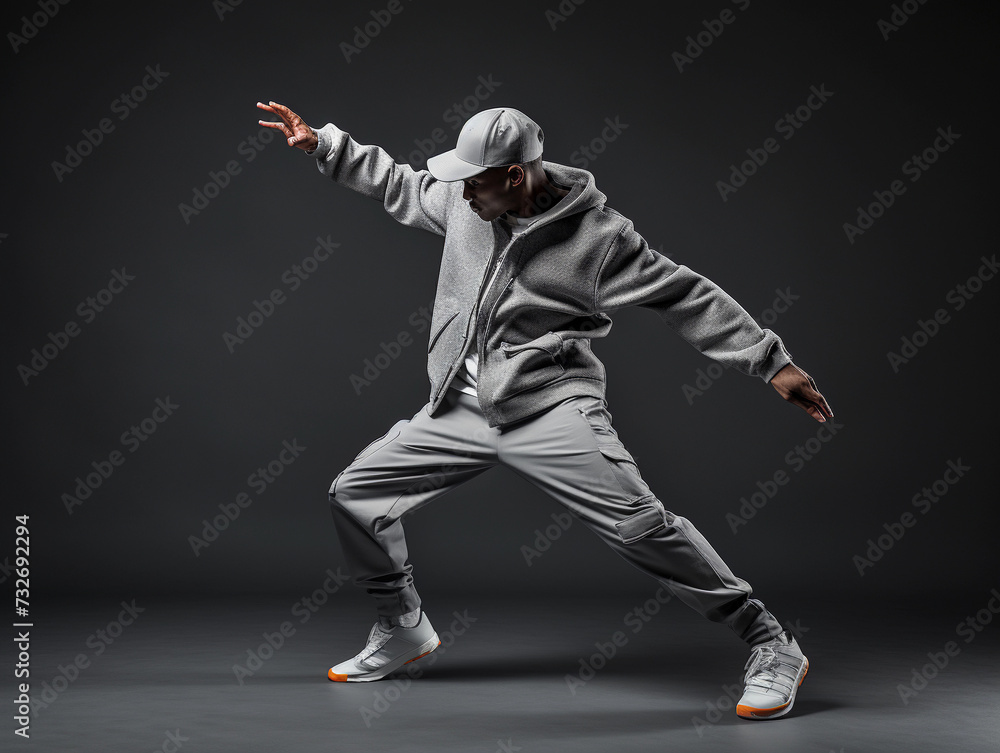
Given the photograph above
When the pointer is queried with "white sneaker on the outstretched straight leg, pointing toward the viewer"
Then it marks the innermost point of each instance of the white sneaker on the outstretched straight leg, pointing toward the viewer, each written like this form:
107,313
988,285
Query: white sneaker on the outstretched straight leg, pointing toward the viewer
774,672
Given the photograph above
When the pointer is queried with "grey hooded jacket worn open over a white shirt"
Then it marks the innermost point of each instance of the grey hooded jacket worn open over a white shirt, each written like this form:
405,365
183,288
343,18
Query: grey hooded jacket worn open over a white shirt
549,292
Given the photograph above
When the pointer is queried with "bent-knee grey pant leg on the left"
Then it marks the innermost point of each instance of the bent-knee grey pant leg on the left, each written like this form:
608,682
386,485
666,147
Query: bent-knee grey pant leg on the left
417,460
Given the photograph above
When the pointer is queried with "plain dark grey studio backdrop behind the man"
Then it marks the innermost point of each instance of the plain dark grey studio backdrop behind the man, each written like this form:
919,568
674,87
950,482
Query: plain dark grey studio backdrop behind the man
783,230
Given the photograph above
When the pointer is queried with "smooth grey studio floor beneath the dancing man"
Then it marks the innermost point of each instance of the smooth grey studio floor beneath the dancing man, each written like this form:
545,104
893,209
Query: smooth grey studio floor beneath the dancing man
500,684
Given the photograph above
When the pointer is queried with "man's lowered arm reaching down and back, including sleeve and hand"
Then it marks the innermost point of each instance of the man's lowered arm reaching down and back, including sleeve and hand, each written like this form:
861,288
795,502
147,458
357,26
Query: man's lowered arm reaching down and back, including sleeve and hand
633,274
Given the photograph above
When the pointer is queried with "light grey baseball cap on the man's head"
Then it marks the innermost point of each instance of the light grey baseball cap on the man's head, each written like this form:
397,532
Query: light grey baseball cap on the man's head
490,138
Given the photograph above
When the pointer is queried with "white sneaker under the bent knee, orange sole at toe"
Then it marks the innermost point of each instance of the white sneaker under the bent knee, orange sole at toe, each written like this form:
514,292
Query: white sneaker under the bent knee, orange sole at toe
389,647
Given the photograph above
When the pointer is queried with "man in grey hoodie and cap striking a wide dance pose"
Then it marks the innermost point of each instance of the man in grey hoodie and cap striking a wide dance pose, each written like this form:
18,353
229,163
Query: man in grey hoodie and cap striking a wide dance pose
533,262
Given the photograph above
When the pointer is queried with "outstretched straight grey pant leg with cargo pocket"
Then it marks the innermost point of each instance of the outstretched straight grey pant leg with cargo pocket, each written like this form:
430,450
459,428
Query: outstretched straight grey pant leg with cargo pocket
572,452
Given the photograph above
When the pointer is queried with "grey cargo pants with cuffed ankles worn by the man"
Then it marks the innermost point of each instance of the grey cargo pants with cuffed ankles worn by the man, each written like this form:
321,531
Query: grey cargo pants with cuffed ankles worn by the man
571,452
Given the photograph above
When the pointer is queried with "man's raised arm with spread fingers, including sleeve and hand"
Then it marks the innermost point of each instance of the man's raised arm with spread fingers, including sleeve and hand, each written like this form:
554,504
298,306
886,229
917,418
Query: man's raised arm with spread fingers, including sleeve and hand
411,197
